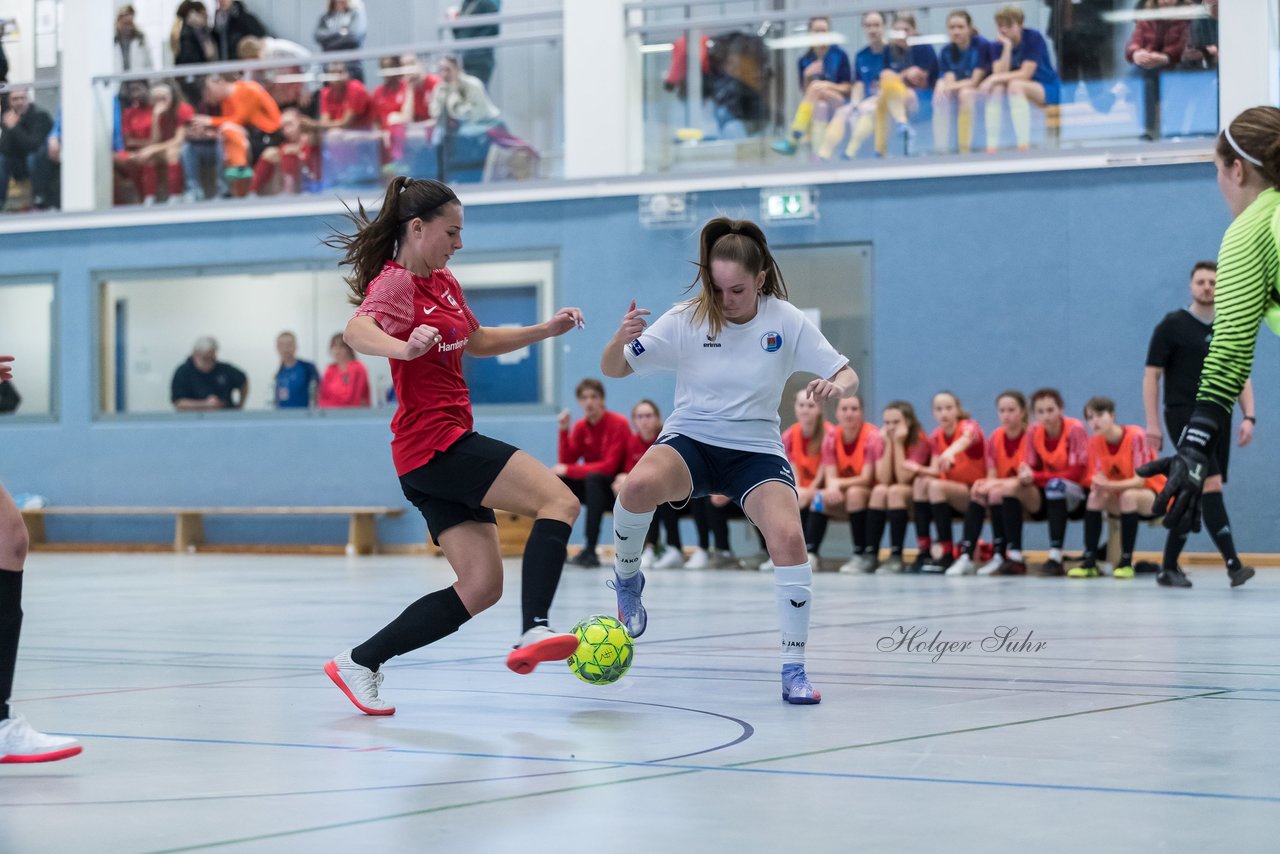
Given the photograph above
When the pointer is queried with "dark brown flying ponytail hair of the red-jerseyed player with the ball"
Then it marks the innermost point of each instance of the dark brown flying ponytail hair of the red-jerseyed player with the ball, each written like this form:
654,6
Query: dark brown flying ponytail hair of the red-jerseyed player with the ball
376,240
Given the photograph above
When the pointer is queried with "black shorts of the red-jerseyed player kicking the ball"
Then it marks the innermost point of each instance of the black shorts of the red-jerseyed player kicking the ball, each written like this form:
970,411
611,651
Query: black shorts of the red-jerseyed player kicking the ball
449,490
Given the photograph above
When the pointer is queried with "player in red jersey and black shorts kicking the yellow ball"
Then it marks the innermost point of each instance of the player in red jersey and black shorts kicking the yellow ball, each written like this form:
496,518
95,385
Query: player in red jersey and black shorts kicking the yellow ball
414,313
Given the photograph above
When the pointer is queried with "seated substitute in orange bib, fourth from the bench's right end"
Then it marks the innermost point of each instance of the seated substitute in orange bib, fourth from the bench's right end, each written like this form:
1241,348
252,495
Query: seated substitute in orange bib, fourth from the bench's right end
959,462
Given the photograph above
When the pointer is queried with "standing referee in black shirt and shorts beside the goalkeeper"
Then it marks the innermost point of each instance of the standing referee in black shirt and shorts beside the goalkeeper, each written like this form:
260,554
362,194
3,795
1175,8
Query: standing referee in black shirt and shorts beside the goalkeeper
1177,353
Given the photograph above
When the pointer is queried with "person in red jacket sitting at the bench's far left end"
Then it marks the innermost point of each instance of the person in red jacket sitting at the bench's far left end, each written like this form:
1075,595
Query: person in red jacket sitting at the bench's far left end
591,456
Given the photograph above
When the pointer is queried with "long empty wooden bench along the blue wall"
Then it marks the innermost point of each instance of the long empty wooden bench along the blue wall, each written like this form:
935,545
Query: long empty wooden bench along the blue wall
190,526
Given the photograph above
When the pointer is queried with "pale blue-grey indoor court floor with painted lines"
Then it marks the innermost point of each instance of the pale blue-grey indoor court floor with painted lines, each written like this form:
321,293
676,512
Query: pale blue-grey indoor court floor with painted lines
1136,720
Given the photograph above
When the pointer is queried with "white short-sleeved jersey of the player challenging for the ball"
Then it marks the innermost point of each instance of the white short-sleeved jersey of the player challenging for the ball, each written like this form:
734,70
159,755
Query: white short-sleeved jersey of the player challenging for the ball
728,389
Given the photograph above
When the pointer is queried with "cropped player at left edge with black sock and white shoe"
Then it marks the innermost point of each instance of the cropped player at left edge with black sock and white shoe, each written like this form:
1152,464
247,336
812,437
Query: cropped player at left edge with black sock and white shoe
19,742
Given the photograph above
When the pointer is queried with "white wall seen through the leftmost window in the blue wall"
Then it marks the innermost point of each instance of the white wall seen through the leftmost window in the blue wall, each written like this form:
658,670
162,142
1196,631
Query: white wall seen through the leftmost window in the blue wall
26,334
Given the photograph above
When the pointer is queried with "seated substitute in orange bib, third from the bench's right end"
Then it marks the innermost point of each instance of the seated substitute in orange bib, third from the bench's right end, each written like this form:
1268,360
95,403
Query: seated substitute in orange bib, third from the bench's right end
1007,451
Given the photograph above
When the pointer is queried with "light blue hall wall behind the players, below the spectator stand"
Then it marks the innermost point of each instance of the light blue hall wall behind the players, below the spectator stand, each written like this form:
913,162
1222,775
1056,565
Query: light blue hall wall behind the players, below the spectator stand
980,285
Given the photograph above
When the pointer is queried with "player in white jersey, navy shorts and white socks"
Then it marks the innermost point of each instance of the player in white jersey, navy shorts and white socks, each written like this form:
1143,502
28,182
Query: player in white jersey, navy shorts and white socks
733,349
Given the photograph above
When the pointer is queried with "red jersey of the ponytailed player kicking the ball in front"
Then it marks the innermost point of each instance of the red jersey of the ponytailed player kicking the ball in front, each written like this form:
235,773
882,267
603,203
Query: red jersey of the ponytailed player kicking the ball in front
435,400
